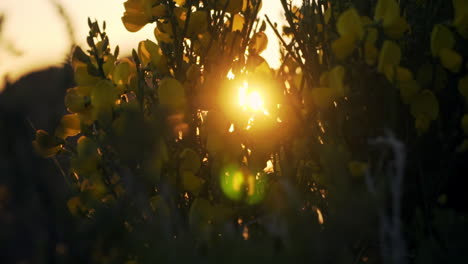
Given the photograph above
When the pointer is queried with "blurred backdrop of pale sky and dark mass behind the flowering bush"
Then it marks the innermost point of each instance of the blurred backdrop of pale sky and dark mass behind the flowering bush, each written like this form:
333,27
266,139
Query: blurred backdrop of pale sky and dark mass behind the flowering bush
36,38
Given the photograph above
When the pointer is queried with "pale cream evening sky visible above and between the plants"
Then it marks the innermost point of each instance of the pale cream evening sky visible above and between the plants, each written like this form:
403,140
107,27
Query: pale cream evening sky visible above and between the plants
36,29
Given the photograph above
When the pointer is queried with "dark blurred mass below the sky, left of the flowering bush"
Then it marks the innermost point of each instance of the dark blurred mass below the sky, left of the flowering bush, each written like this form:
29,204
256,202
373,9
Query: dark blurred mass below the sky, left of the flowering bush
32,189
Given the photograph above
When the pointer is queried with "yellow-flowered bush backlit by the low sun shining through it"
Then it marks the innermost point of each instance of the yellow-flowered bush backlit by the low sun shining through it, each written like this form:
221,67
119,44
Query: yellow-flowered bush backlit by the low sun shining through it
196,144
